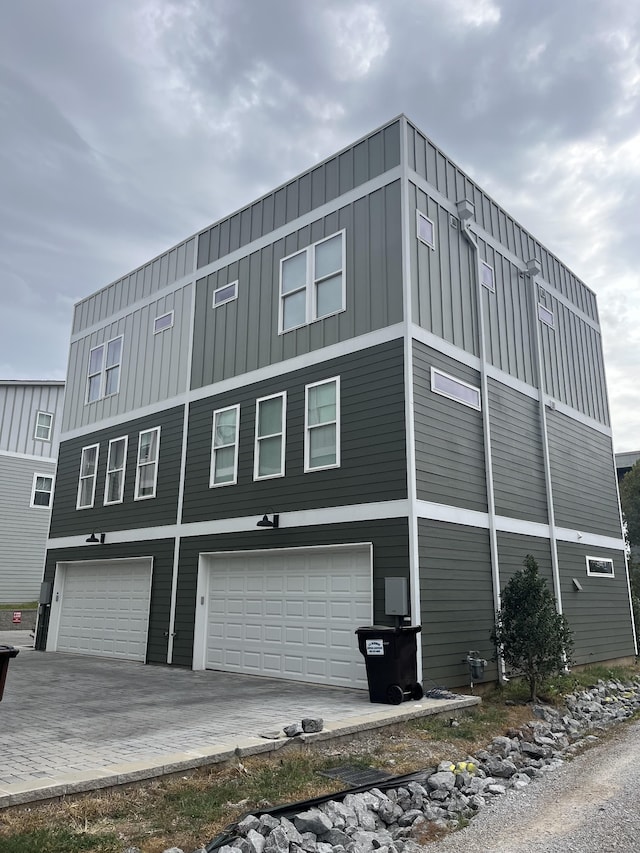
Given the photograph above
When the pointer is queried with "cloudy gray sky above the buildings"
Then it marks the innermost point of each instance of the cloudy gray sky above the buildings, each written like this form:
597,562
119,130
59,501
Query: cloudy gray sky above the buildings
127,125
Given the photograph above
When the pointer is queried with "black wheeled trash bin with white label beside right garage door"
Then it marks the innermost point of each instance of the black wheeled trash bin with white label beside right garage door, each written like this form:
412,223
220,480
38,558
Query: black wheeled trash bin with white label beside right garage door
390,655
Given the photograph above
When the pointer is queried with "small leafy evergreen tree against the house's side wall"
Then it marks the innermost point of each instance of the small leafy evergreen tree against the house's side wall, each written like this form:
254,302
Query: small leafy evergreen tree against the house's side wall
532,637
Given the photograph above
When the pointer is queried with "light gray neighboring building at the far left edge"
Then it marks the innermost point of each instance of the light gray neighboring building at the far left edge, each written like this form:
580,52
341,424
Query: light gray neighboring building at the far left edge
30,420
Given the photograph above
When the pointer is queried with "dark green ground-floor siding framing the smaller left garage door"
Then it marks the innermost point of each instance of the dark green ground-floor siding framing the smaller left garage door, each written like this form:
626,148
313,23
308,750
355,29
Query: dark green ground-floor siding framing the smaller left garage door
162,552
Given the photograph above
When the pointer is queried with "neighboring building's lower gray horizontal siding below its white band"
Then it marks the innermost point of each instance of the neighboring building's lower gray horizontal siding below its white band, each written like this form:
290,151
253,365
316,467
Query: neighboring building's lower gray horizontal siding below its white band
23,529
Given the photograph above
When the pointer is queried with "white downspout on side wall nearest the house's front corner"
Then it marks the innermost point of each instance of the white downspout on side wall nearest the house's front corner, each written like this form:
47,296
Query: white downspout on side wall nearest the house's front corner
466,211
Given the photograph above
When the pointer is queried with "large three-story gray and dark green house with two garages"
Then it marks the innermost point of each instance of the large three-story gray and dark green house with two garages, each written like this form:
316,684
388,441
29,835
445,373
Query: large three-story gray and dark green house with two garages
371,372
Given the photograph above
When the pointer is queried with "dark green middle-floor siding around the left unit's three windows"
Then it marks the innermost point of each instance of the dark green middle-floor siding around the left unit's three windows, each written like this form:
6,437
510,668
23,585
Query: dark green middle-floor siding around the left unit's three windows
66,520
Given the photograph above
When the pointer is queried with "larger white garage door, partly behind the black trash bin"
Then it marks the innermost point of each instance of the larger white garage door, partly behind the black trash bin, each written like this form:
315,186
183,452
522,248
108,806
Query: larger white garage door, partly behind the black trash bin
289,614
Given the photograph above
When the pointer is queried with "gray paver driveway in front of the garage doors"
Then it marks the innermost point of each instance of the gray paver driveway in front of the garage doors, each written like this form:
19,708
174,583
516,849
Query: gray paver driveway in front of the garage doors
71,723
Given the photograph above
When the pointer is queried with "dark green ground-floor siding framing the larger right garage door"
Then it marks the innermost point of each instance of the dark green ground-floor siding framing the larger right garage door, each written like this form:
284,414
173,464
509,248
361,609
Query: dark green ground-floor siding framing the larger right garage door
390,559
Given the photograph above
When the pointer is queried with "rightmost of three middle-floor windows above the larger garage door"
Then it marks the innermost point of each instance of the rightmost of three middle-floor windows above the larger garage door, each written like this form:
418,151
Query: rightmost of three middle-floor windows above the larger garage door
322,425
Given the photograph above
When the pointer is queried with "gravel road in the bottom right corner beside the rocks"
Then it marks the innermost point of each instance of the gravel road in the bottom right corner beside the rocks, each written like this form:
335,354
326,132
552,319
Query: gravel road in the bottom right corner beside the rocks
591,805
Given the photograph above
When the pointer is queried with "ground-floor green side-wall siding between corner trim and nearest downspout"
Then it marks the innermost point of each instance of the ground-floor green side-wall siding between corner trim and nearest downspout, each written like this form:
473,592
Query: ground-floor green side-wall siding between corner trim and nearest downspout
456,596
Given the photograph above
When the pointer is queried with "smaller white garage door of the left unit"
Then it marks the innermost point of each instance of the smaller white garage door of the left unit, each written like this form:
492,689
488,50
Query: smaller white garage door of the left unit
104,608
